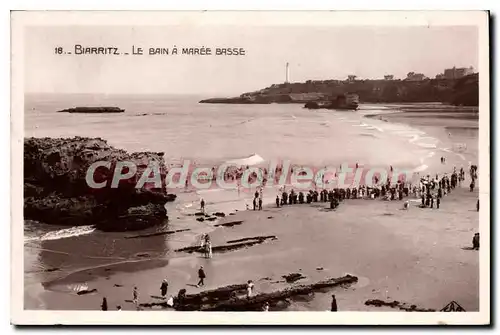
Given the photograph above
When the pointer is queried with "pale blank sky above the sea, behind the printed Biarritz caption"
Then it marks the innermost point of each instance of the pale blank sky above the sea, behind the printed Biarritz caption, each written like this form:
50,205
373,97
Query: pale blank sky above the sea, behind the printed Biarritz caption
314,53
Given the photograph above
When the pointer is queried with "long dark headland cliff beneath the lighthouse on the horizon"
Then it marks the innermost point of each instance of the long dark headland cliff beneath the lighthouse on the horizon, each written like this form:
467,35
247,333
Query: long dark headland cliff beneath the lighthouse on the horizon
463,91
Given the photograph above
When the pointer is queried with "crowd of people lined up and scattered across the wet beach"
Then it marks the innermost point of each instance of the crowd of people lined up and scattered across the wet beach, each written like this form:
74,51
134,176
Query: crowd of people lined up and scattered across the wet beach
429,189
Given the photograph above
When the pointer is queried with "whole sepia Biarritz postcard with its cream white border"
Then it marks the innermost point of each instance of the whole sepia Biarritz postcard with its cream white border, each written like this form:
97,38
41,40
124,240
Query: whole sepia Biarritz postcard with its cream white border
295,163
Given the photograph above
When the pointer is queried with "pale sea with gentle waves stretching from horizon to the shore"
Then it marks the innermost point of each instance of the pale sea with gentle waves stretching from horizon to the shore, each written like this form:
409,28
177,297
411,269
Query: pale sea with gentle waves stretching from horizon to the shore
206,134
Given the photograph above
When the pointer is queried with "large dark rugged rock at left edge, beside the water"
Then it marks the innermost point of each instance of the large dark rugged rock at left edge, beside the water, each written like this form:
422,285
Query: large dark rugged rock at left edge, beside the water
56,190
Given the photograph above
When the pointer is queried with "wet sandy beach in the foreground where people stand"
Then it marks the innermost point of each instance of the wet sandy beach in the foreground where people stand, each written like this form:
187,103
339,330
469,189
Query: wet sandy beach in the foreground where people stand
419,256
